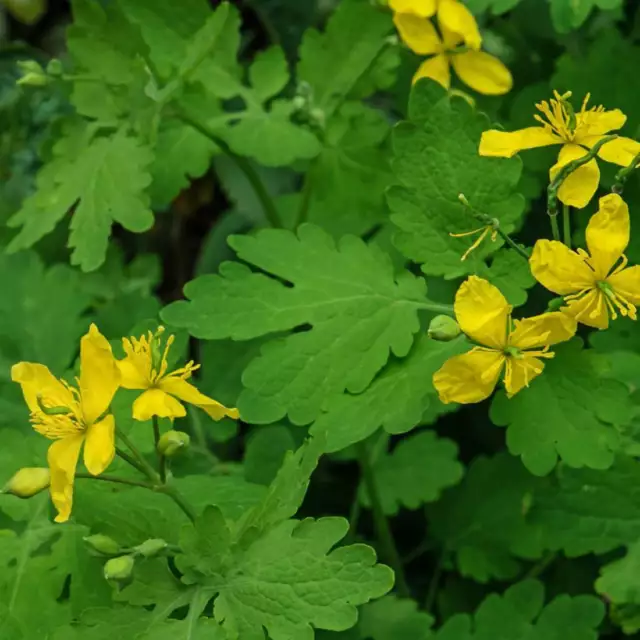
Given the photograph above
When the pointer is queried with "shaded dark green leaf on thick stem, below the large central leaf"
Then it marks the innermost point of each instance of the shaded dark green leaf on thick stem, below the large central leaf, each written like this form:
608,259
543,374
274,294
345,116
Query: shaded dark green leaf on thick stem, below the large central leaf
415,472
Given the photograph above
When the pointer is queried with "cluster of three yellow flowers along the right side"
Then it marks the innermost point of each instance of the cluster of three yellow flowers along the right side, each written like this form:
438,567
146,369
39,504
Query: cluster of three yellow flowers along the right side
596,285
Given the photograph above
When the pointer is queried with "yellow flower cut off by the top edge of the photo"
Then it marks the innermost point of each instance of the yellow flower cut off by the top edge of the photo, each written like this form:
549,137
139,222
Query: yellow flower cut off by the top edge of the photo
482,72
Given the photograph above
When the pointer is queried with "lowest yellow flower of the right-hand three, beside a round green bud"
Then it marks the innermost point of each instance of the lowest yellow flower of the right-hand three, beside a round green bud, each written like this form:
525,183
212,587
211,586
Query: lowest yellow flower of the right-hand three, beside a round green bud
517,346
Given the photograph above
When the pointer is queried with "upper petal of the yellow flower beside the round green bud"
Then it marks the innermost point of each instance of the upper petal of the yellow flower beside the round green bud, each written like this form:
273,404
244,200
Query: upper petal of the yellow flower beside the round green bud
482,312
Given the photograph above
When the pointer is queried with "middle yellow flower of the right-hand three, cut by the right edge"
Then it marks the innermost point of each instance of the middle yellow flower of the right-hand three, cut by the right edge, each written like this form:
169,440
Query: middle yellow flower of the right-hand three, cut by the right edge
591,283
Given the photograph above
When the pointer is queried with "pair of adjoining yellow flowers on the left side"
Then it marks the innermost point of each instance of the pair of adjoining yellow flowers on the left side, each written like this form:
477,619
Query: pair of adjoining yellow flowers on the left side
79,416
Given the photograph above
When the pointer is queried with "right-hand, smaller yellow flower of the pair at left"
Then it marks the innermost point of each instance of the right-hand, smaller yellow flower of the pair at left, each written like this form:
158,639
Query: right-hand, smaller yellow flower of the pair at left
145,367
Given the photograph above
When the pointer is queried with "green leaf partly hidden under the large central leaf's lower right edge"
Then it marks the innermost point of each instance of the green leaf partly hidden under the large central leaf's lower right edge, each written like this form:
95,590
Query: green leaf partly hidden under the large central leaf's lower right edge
396,400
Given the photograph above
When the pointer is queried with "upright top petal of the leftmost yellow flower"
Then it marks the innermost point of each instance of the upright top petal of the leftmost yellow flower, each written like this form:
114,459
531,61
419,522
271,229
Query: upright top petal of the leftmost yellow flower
99,374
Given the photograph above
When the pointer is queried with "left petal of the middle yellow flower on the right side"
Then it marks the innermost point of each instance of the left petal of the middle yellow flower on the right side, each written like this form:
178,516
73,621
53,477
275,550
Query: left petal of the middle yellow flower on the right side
559,269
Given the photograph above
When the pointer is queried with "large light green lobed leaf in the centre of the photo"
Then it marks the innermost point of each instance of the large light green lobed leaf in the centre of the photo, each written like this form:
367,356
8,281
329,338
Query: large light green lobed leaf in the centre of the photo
358,310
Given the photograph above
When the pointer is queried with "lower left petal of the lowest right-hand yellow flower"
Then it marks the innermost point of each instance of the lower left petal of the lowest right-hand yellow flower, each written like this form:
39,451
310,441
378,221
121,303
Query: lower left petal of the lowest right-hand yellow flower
469,378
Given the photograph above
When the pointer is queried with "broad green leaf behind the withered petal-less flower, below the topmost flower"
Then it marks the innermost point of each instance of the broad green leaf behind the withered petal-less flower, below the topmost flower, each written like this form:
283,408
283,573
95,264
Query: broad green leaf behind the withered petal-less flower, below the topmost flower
436,159
